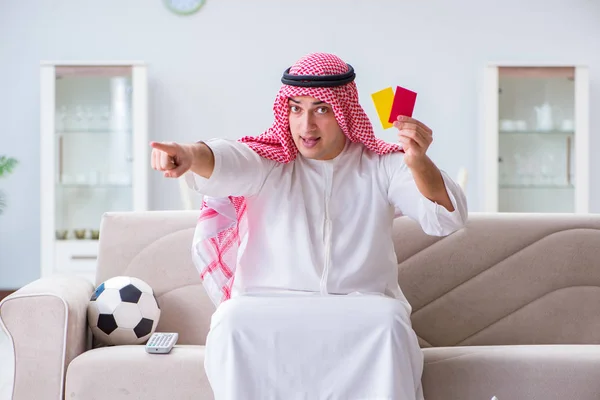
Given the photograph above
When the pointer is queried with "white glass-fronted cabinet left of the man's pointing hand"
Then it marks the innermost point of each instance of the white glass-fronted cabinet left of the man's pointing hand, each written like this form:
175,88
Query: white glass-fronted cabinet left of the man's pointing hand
93,155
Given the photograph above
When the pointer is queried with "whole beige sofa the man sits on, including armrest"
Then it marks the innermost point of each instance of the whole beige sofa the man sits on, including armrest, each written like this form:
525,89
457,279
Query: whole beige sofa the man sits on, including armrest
508,306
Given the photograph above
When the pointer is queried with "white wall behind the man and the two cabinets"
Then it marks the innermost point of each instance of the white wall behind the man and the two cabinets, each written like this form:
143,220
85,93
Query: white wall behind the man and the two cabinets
216,73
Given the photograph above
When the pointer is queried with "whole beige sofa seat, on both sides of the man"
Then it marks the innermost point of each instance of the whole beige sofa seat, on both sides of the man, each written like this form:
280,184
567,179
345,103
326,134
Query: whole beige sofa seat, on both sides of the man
475,372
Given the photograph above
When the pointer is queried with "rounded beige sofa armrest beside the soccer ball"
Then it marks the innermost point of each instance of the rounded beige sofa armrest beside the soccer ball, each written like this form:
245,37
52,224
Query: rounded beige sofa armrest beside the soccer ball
46,325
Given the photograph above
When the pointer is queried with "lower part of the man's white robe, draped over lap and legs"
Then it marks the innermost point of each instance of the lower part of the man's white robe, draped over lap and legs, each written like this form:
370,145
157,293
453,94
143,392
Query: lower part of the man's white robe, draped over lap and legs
285,347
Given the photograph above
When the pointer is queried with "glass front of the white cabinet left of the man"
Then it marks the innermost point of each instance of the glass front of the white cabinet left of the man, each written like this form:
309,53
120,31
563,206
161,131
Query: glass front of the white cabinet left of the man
93,147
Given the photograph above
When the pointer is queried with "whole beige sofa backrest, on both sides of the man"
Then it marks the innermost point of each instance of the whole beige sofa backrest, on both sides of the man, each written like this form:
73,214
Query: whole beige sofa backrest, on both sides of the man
503,279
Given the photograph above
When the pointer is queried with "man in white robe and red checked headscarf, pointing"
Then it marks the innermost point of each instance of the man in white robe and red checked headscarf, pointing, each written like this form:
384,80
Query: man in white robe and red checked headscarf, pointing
294,244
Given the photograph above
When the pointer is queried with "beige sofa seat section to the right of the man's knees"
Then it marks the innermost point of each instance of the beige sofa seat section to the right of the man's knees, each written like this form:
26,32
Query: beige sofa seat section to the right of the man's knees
517,372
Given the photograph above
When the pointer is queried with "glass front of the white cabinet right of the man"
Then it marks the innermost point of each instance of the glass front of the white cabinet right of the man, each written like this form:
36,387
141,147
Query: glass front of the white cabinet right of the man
536,152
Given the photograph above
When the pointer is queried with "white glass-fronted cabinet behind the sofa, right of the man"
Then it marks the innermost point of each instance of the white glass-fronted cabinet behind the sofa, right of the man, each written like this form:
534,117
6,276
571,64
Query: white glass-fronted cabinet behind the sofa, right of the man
536,143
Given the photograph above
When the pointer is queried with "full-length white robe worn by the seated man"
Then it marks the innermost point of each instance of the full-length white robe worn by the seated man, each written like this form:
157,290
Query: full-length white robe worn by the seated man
321,229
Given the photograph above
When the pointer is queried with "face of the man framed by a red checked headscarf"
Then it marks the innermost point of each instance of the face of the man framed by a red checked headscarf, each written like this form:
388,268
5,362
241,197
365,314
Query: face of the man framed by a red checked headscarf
314,128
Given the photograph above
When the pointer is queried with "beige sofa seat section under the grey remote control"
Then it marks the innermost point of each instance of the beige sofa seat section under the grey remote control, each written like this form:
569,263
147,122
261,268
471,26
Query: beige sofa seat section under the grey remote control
128,372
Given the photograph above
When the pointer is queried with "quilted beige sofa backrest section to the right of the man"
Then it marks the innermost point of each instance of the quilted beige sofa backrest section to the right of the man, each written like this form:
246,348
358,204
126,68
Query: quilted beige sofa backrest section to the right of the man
504,279
